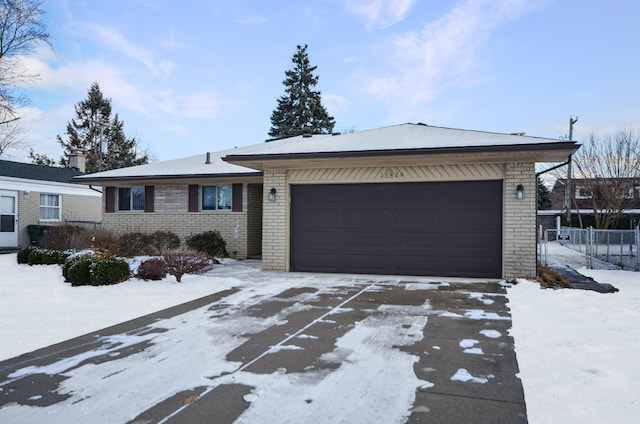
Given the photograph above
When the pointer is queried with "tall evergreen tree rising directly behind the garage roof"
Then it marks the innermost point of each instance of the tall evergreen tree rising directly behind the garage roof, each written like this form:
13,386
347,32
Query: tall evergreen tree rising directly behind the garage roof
300,109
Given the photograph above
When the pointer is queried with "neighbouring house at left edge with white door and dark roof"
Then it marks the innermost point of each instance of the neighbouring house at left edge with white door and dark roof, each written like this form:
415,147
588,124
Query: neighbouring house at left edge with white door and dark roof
41,195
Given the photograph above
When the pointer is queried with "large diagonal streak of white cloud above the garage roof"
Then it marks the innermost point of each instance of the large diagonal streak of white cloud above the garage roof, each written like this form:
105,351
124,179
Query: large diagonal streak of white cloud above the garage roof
441,54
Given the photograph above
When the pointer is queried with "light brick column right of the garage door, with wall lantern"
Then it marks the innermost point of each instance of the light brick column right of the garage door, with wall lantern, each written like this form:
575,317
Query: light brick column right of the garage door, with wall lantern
520,221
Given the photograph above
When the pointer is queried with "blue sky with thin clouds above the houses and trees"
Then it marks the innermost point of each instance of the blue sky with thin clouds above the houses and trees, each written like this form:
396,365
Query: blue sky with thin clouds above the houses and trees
204,75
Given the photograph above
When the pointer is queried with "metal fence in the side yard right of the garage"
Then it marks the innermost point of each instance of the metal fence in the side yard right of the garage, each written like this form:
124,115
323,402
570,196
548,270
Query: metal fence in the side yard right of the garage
617,247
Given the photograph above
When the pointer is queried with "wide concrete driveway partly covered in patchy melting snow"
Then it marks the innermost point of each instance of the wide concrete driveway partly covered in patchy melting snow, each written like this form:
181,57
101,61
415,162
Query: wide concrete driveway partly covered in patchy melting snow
286,348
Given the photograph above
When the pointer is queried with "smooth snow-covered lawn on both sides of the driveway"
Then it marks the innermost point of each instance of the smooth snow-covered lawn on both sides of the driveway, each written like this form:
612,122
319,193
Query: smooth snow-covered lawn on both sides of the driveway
577,350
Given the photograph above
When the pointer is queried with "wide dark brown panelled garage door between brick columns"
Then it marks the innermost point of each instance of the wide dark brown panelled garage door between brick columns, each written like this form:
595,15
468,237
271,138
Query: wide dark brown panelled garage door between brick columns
451,229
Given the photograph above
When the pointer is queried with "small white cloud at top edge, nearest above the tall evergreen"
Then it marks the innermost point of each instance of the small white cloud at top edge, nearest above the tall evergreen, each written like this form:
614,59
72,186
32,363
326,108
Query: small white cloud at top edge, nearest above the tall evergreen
380,13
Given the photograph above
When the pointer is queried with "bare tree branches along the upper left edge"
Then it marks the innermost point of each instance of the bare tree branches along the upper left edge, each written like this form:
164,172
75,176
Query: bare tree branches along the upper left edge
21,29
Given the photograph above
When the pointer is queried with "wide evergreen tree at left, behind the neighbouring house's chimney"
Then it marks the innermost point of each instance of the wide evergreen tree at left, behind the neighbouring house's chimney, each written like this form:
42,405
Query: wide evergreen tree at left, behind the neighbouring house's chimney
92,127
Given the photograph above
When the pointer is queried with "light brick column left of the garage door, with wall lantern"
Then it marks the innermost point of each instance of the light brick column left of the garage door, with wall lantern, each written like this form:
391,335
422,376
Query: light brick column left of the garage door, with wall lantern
275,222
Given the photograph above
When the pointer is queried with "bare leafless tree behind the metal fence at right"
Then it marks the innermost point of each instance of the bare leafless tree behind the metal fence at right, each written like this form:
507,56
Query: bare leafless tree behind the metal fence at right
609,171
